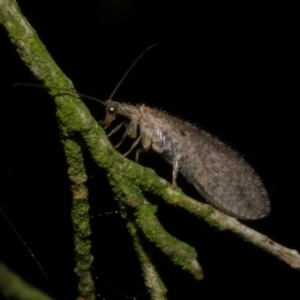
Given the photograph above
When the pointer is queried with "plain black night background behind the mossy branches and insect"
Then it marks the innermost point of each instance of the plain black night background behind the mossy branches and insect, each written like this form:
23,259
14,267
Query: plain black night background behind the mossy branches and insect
233,70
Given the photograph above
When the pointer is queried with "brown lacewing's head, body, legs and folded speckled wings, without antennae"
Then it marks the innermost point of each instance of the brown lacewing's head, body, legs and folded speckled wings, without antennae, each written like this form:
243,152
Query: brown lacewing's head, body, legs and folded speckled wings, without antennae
218,173
